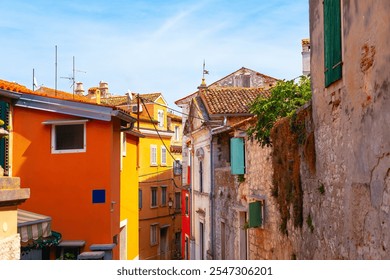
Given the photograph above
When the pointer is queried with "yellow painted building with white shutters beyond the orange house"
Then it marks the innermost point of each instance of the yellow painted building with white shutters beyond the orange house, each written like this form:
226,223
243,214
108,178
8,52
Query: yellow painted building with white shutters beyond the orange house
156,143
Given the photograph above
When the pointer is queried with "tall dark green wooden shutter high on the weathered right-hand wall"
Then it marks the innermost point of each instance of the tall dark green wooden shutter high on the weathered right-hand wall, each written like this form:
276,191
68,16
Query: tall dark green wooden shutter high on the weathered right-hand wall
332,41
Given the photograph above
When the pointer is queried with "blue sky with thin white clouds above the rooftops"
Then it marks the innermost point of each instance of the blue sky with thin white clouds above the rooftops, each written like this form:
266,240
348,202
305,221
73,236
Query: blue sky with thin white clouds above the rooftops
149,46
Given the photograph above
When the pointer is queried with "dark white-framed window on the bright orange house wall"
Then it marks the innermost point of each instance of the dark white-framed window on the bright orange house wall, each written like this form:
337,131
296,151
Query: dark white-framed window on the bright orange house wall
68,137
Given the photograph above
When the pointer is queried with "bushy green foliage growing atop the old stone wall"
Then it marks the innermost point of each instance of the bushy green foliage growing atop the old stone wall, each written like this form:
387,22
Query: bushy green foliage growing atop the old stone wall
286,97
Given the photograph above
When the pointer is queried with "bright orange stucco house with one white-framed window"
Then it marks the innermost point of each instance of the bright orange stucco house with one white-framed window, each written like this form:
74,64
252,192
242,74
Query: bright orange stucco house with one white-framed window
68,152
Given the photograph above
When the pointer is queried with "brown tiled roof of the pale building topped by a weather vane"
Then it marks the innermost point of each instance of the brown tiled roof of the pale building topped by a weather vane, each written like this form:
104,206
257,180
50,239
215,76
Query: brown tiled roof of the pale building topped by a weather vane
230,100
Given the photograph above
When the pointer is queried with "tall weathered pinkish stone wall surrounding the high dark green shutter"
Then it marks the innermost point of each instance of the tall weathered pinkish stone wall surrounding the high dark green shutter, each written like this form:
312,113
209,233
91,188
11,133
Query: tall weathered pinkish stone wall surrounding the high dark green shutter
348,199
